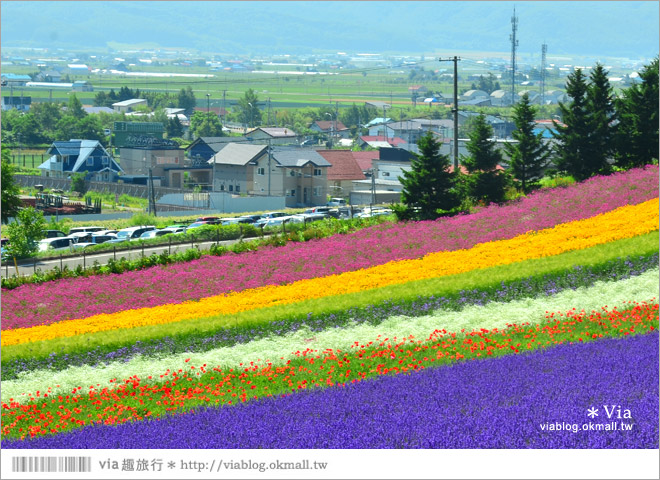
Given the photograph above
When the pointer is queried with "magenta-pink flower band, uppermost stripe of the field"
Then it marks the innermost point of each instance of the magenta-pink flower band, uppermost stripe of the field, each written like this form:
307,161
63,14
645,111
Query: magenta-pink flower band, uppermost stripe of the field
51,302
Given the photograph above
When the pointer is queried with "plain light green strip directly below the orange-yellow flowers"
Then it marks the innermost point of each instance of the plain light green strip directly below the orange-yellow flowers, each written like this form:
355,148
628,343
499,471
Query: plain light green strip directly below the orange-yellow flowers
442,286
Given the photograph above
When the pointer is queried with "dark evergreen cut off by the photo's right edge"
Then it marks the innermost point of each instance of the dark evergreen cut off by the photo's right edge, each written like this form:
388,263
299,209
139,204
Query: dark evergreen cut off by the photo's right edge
637,111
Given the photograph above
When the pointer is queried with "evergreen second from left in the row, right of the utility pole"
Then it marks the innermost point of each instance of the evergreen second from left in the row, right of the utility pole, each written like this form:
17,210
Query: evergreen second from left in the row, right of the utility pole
484,183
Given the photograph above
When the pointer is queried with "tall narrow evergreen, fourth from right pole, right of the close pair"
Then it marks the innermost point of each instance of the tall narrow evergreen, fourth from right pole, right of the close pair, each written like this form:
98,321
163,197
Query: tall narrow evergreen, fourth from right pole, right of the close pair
600,104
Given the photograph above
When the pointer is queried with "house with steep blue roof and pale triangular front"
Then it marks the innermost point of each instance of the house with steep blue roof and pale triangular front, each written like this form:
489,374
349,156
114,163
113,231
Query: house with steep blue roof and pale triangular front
85,156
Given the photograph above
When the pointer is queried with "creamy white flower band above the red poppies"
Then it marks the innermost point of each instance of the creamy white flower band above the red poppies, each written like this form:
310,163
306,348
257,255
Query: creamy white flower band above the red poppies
279,349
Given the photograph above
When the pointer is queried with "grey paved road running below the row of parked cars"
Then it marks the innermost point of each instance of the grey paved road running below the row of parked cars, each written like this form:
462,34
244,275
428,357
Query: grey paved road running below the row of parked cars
30,266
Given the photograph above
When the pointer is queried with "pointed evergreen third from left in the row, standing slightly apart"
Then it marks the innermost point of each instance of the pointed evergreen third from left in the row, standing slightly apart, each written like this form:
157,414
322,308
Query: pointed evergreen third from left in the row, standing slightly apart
530,155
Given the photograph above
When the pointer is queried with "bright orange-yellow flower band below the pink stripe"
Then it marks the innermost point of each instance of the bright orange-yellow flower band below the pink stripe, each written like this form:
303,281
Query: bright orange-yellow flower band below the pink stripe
624,222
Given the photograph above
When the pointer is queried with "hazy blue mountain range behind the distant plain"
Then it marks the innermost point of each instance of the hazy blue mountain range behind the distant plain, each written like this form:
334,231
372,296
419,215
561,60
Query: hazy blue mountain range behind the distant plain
598,29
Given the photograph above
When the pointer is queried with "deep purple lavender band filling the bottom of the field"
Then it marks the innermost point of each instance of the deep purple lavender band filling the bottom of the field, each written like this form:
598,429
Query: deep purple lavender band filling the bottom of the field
537,400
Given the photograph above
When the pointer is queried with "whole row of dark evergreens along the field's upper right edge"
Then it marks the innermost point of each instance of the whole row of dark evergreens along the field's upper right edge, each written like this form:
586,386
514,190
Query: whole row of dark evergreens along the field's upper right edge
599,134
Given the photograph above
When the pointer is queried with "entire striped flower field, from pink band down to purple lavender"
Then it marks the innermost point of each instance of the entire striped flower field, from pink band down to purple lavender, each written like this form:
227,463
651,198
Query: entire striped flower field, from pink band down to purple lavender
479,331
